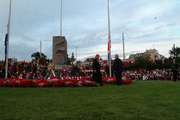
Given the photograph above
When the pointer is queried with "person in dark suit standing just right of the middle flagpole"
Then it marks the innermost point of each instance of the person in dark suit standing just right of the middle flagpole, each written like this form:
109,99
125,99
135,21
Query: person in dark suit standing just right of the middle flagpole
118,69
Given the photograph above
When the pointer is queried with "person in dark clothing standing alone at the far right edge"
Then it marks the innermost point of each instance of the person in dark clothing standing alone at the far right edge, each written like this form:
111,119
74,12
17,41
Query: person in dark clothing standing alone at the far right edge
175,69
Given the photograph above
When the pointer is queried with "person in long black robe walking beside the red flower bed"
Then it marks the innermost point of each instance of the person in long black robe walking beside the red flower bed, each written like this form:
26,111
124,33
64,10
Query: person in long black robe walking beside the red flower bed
97,76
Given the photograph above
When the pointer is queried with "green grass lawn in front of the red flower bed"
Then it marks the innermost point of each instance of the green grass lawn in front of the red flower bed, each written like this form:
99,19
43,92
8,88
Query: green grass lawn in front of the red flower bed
139,100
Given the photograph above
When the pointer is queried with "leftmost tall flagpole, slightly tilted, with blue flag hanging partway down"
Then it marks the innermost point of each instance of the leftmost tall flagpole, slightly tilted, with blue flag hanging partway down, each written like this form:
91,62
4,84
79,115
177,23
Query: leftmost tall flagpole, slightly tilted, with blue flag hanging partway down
8,40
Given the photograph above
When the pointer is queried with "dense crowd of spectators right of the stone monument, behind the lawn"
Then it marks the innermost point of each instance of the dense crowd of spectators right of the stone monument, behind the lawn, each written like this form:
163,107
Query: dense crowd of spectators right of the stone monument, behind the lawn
156,74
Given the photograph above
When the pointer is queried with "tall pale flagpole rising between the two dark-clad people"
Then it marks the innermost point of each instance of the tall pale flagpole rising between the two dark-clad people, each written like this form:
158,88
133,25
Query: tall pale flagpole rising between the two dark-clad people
109,38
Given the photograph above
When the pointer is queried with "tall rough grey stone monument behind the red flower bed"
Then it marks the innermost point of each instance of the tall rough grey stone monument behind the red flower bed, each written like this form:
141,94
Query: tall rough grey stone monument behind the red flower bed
59,54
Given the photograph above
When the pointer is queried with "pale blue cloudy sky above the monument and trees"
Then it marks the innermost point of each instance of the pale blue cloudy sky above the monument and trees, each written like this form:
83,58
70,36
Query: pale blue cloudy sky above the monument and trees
145,23
